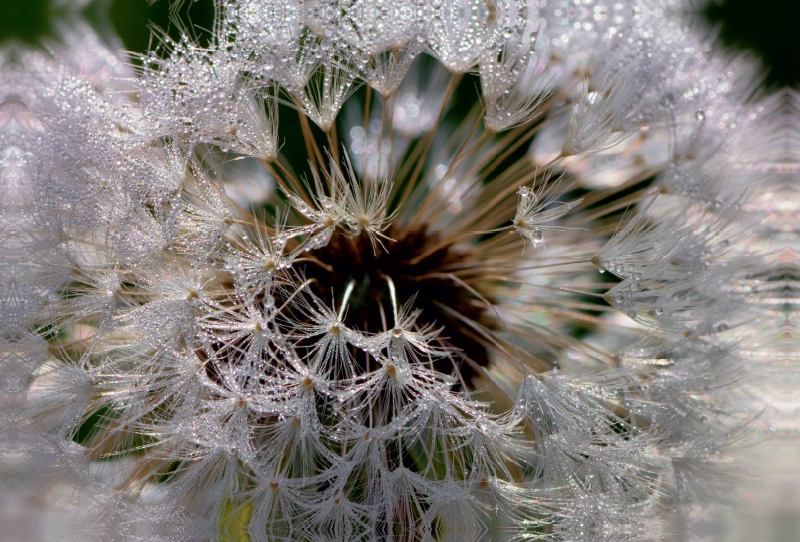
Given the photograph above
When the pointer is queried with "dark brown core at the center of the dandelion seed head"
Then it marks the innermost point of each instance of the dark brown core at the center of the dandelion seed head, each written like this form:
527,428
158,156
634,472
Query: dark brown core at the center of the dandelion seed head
441,300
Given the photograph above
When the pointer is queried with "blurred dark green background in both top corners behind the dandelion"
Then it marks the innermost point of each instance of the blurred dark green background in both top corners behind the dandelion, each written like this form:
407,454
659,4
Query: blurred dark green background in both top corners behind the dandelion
767,28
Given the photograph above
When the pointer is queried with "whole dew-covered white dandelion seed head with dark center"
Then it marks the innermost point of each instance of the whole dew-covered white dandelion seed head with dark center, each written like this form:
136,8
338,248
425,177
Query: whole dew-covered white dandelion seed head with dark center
367,353
